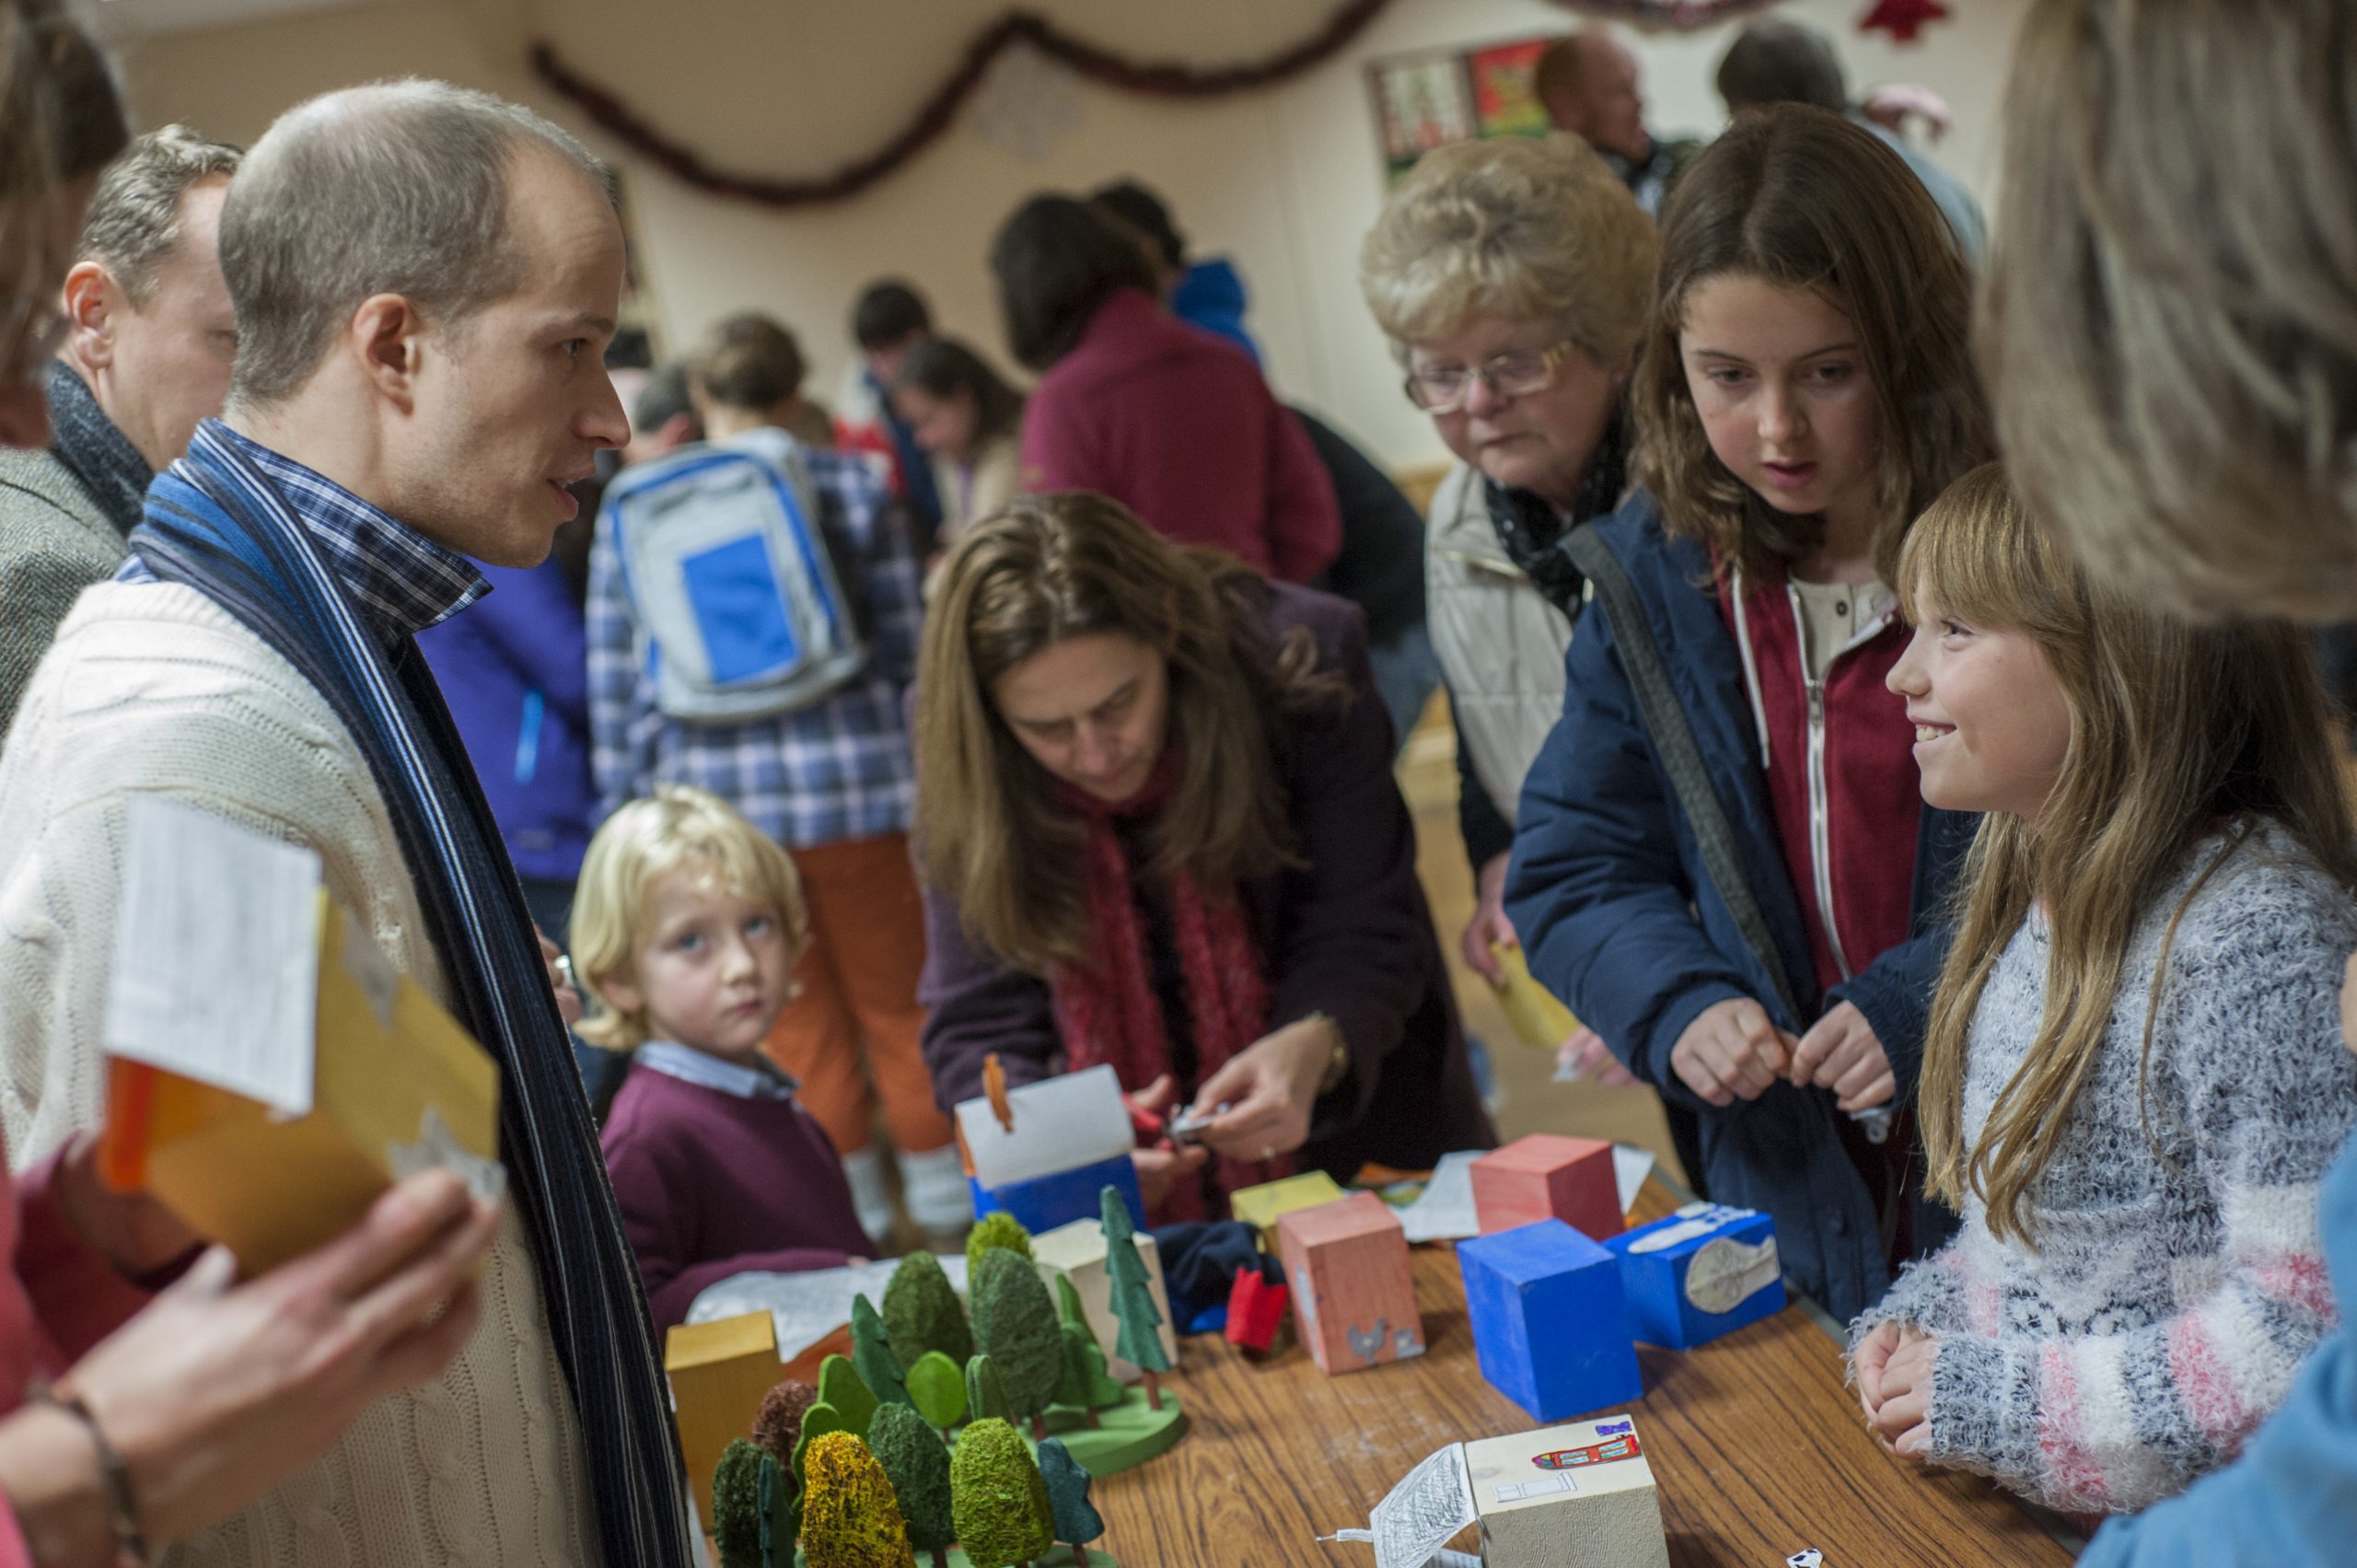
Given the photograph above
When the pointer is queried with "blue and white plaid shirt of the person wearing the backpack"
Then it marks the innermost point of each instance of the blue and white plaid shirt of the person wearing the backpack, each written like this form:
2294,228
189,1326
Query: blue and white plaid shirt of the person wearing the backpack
824,775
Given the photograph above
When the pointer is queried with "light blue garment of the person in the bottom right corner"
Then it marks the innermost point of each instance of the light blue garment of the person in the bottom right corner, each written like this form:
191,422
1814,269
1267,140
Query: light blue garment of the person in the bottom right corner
2292,1498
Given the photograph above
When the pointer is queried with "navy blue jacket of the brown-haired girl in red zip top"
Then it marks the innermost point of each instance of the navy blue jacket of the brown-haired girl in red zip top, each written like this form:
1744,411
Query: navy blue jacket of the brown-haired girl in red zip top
1618,916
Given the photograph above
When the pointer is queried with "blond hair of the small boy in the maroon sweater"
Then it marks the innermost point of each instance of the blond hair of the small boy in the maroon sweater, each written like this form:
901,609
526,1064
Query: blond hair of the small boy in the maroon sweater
647,838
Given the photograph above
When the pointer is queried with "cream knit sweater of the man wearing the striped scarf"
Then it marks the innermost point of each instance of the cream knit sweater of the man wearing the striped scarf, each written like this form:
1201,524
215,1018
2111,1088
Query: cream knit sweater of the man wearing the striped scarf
154,690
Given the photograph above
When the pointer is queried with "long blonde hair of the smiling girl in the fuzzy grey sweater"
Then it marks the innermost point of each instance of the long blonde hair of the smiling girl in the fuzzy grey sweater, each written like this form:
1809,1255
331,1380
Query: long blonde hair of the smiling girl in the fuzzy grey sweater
2174,730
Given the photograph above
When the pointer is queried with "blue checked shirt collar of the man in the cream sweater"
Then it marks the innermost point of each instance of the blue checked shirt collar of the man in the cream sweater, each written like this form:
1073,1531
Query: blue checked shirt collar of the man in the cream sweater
402,579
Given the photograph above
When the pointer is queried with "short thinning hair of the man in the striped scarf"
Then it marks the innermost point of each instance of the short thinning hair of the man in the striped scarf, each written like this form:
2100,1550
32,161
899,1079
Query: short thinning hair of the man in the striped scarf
383,190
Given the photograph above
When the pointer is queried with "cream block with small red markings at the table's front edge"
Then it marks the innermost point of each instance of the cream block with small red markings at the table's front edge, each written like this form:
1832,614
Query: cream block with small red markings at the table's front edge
1578,1496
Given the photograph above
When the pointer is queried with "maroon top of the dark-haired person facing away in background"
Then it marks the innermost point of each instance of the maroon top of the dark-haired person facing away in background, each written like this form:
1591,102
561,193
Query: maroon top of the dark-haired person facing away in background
1180,428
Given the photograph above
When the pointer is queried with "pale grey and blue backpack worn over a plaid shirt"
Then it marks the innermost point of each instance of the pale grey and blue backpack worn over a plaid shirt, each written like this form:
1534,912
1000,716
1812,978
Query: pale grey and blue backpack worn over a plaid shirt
734,600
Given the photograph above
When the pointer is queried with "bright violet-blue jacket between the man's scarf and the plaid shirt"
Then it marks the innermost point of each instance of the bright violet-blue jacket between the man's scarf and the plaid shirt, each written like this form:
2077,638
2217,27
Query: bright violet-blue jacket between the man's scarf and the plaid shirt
515,671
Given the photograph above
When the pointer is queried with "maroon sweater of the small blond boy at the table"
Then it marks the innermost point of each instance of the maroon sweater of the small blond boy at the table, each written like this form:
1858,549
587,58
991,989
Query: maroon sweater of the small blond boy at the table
713,1185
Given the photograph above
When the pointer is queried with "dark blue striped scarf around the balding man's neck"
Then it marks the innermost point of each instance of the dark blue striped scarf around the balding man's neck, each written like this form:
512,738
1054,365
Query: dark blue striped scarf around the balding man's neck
216,522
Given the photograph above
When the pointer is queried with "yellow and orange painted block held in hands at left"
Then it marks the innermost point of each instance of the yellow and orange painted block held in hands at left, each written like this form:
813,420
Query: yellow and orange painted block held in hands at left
397,1083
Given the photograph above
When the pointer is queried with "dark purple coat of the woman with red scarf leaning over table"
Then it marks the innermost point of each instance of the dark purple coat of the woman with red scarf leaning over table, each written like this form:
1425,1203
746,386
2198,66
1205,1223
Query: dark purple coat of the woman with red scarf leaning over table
1347,937
